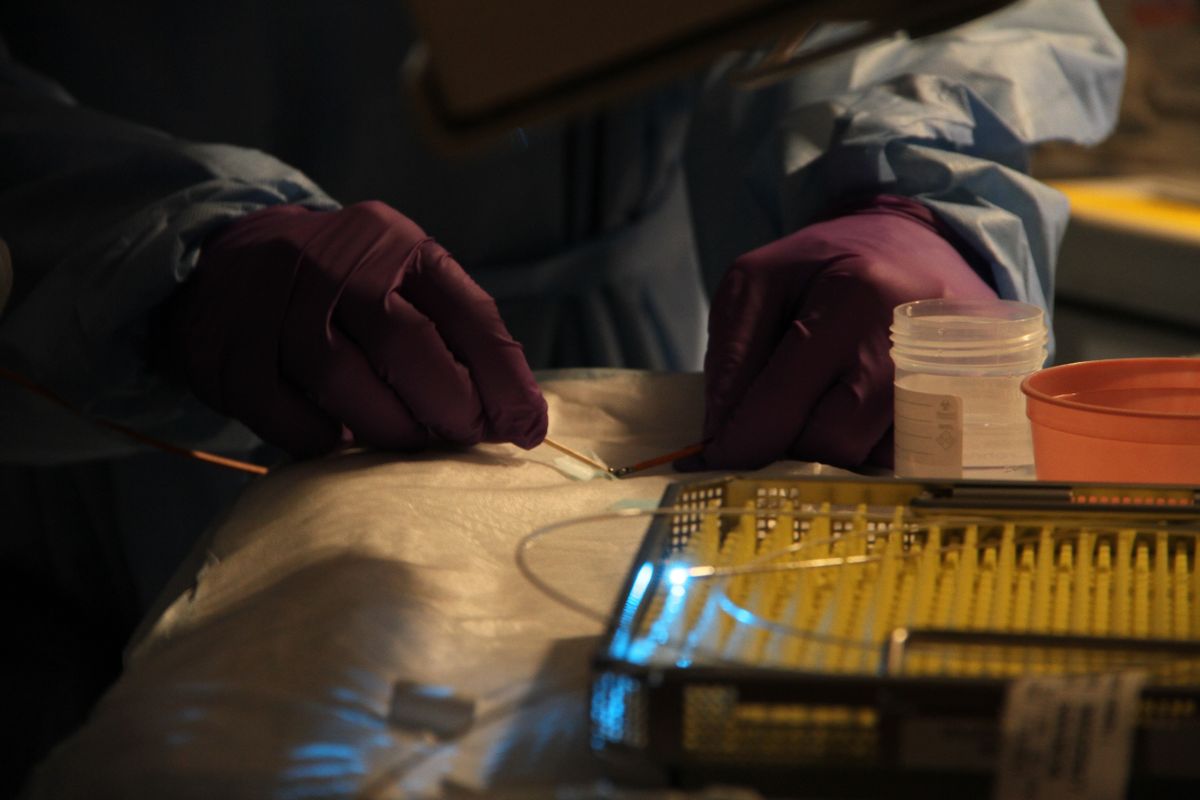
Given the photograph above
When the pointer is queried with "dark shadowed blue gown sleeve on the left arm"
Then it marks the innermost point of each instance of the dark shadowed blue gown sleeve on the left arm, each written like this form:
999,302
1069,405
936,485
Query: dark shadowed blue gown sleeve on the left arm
104,220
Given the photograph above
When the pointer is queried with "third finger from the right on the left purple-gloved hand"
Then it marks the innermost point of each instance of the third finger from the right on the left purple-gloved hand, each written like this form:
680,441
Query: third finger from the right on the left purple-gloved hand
343,383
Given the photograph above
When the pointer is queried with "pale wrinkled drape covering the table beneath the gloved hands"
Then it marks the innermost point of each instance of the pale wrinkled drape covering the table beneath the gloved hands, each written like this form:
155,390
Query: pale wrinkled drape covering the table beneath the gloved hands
273,671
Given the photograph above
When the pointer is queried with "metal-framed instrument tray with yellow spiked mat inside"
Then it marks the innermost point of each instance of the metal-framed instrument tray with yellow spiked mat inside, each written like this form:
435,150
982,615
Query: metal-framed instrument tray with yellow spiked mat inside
772,629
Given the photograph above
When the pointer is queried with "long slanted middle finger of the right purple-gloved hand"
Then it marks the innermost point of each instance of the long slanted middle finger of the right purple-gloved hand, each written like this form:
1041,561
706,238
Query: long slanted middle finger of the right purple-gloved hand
773,411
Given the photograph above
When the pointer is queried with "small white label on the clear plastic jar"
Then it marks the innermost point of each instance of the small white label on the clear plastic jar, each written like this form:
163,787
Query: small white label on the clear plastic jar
928,435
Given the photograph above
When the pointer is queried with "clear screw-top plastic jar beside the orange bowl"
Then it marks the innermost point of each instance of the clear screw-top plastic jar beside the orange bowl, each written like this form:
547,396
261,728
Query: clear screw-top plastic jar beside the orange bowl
959,408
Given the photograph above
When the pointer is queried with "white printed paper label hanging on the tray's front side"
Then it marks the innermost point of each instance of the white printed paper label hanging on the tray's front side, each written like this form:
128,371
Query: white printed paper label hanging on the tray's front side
1069,737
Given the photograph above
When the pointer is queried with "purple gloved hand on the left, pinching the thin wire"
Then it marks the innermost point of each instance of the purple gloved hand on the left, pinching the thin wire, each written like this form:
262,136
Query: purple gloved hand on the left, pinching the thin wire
316,327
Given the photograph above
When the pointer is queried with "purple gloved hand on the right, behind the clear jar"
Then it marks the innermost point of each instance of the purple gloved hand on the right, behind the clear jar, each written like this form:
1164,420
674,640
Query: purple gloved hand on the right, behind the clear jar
799,363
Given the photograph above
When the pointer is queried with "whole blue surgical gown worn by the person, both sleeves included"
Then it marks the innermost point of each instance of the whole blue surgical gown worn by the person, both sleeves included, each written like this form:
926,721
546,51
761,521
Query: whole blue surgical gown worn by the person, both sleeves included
130,131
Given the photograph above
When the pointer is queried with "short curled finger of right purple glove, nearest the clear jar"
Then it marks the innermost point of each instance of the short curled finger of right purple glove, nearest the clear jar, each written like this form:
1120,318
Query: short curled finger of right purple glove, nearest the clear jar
845,425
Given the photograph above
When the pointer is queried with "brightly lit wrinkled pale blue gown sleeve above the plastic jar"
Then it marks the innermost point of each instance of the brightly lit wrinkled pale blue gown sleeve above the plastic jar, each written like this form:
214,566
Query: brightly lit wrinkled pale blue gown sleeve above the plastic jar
951,123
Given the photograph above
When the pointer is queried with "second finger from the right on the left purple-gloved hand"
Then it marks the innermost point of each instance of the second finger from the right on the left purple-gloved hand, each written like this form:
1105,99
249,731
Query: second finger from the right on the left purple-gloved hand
407,352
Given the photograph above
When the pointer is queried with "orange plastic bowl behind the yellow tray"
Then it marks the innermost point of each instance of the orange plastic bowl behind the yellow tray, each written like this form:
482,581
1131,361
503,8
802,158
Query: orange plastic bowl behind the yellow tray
1125,420
